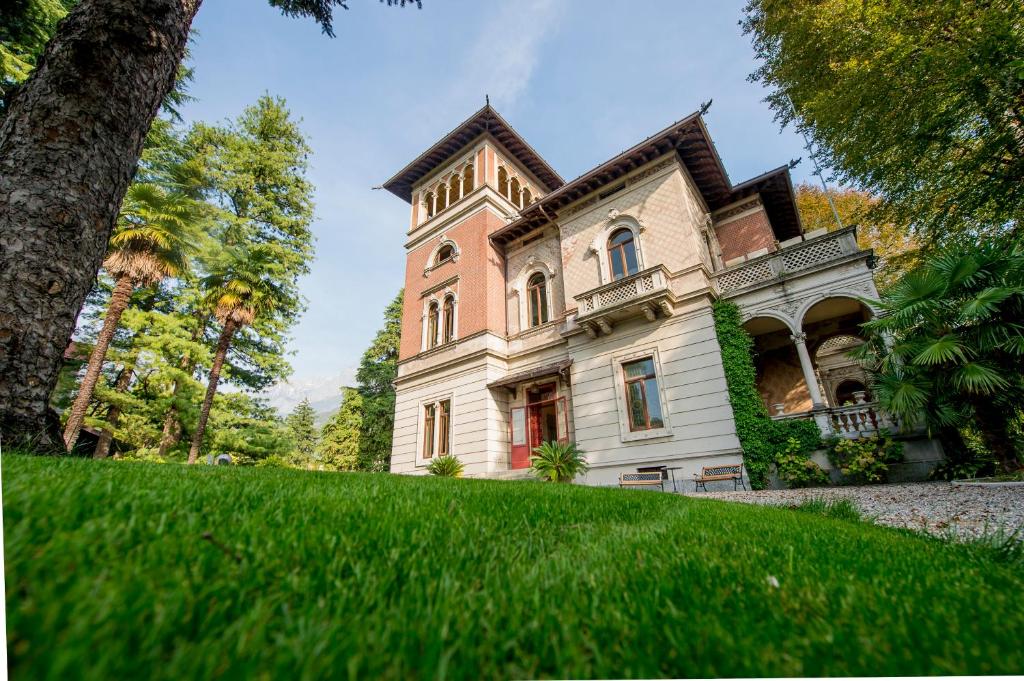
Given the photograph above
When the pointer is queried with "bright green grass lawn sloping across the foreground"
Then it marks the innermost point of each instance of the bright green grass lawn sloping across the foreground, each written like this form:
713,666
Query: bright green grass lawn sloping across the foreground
110,576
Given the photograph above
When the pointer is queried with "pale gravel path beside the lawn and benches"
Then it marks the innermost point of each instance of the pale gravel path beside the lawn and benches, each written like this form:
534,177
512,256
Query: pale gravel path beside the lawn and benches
940,508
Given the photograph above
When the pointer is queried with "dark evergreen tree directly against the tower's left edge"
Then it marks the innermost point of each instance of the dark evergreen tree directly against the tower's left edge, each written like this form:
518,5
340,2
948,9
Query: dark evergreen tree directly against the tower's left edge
376,375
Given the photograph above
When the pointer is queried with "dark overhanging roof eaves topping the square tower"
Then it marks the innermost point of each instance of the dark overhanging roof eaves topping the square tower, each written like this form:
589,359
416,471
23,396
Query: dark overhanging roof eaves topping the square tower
486,120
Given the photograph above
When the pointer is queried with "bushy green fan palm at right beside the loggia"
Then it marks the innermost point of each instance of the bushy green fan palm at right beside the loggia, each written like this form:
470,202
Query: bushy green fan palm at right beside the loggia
950,345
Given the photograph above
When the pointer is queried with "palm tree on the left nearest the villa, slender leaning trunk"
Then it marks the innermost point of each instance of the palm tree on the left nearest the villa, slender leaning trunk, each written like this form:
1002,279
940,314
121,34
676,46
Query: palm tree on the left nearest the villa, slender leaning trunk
242,287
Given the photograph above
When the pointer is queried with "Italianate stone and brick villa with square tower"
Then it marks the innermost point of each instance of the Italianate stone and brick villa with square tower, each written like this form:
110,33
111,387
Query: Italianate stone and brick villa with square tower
538,310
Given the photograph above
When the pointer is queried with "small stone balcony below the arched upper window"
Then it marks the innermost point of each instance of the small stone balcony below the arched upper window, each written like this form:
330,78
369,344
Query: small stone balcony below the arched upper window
646,293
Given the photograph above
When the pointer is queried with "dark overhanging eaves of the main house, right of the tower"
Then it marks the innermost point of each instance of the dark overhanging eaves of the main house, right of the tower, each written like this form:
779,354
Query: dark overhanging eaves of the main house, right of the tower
691,140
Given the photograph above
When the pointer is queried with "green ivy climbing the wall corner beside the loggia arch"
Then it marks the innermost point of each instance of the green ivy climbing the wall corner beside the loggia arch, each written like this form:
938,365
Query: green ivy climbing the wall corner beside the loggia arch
762,439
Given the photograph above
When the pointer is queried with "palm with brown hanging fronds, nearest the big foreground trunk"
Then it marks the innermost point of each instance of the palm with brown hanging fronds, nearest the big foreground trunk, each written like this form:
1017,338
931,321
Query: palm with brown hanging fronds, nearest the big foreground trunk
157,233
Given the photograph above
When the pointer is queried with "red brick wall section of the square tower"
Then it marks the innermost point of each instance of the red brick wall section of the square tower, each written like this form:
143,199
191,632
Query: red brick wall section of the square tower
481,289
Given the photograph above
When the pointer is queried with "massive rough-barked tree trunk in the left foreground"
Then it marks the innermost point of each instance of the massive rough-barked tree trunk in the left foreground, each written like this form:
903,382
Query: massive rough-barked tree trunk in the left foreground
69,146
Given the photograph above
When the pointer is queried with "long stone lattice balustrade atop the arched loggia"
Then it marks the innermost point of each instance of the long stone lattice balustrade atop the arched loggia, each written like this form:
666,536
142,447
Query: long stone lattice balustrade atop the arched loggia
797,256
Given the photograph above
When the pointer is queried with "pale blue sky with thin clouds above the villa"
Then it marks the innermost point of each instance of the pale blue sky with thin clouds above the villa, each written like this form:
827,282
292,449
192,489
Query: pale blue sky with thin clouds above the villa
581,80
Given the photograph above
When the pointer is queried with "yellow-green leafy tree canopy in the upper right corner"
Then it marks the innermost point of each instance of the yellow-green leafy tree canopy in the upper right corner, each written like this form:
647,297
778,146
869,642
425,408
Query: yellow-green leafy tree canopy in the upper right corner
919,103
